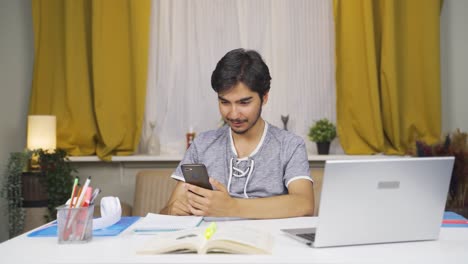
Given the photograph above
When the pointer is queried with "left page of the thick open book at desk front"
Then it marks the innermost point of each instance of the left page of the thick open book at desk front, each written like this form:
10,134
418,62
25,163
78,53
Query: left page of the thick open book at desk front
182,241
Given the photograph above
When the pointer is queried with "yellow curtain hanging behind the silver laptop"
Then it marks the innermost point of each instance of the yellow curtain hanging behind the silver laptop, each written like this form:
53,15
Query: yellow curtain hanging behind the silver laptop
388,74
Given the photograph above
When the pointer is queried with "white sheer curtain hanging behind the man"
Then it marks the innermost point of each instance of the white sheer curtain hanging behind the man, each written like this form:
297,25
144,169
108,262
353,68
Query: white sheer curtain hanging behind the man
295,38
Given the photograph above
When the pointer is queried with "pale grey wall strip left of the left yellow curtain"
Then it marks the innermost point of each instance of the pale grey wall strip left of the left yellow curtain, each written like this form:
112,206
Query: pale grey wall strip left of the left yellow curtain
16,64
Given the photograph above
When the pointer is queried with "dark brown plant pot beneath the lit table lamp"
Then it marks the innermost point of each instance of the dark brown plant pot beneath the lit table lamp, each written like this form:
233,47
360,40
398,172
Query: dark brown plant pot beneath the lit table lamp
34,190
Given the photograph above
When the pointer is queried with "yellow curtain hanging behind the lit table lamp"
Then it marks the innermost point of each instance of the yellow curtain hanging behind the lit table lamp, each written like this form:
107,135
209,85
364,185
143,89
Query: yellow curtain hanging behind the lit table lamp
90,71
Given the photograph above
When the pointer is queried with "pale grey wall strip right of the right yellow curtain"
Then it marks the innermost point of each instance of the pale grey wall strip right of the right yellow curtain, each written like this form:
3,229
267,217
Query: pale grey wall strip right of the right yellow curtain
454,63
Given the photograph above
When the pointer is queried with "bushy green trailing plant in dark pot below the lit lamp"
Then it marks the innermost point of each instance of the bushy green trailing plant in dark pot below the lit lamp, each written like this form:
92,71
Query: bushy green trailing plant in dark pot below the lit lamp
53,176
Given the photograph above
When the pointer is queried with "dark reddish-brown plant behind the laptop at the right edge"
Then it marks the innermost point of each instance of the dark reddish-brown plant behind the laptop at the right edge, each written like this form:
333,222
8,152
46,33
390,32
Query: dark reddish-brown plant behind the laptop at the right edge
452,145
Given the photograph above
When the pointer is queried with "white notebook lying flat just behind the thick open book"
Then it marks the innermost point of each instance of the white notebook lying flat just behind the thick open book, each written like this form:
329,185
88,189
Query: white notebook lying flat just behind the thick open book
154,223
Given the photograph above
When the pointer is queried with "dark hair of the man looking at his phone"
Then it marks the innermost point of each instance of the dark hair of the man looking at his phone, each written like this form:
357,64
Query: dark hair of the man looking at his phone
239,65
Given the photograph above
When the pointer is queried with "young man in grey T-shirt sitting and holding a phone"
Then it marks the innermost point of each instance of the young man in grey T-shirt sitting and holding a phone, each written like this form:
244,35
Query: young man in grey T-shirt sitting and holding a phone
247,158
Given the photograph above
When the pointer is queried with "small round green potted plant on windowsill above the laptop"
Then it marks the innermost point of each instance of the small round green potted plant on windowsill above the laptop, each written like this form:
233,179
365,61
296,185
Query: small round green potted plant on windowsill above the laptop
322,132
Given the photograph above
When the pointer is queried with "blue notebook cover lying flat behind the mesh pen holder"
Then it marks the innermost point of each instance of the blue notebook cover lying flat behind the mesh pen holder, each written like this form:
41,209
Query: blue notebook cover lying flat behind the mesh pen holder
113,230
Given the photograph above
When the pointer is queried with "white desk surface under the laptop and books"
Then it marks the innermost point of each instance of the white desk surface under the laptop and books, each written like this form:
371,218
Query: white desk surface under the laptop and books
452,247
